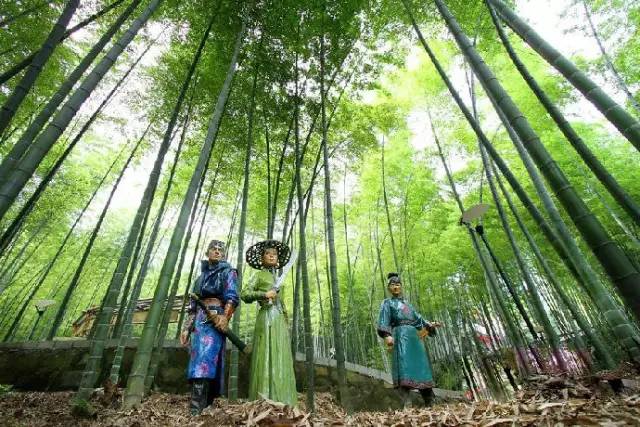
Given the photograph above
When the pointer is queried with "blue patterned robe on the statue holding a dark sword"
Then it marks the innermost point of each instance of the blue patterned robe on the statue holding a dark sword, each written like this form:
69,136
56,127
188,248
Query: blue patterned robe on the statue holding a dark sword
207,343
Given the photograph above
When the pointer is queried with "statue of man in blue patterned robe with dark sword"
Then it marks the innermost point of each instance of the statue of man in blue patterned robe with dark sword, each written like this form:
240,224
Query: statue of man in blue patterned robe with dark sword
216,289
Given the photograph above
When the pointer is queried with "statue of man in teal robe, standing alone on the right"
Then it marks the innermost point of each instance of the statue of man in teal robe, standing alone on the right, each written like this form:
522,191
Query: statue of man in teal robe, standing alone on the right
403,330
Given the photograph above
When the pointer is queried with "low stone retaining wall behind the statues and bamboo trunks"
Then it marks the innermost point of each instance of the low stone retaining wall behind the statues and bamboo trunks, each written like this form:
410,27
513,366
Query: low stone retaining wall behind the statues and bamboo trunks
57,365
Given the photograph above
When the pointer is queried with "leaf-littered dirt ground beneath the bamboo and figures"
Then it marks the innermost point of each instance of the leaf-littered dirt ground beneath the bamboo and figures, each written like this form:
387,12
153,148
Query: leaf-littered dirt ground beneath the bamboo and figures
549,402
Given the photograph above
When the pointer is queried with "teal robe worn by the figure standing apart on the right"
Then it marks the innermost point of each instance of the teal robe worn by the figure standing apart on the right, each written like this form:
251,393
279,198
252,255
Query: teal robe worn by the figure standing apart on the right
410,364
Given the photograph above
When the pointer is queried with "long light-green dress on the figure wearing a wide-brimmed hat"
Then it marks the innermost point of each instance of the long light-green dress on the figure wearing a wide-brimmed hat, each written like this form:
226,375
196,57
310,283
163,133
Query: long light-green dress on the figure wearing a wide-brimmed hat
272,376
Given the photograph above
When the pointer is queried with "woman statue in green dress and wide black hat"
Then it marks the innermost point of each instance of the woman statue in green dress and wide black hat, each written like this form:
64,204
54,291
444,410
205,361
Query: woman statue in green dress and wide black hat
272,375
